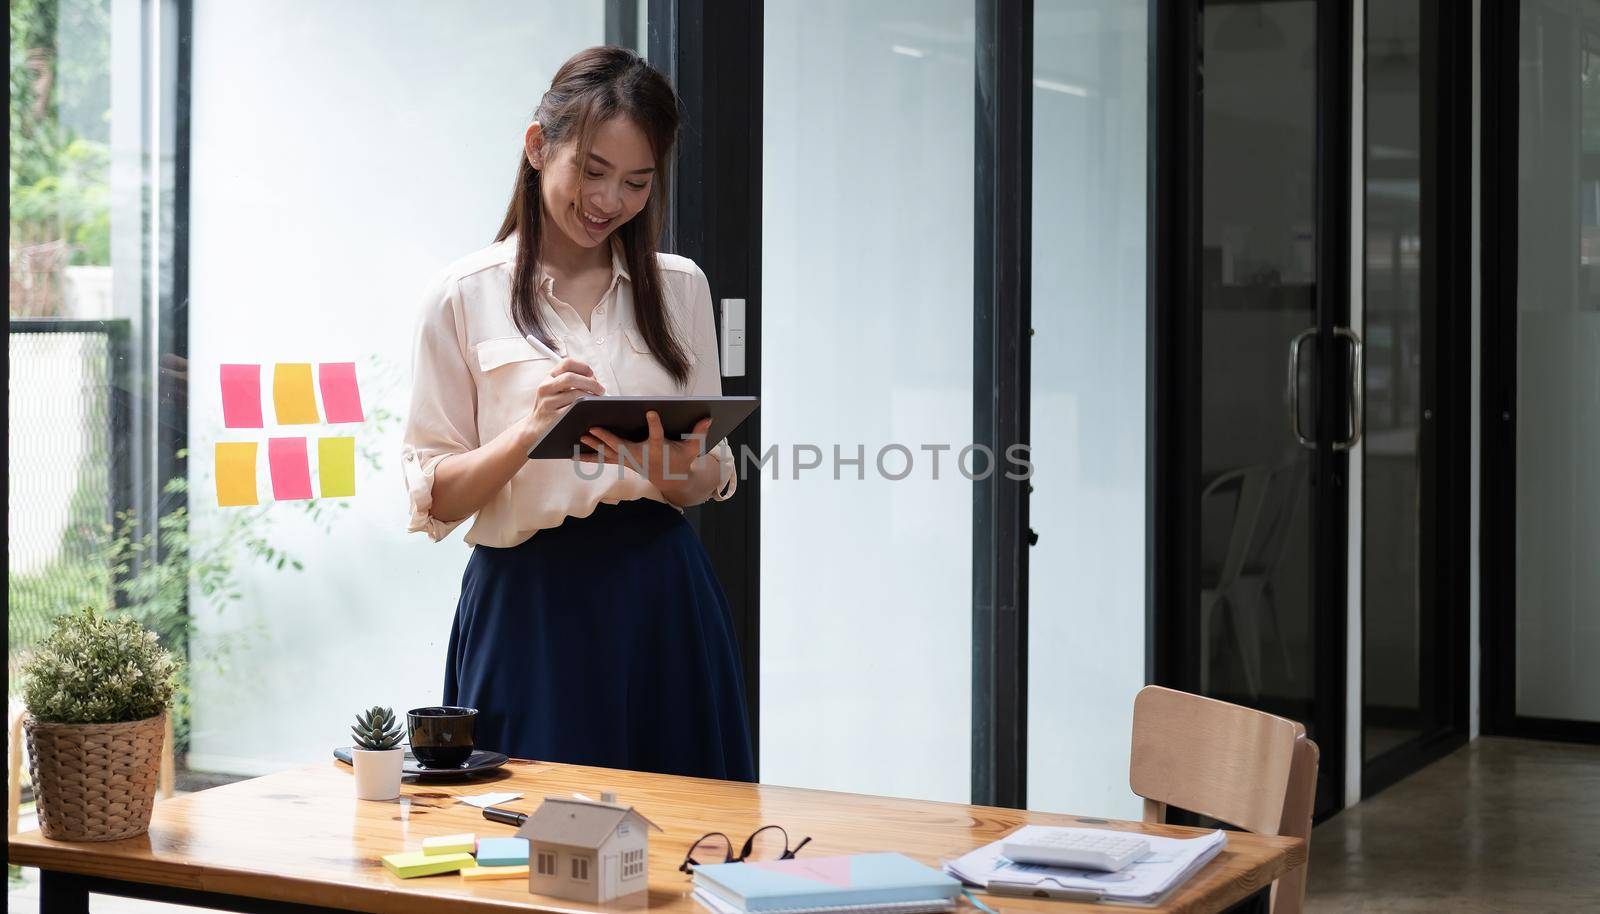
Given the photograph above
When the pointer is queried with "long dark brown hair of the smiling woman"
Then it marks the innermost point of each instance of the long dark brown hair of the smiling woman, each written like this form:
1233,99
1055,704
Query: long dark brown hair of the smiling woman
590,90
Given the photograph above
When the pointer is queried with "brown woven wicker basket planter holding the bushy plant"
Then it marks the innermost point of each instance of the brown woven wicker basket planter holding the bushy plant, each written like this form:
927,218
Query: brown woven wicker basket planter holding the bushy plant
95,782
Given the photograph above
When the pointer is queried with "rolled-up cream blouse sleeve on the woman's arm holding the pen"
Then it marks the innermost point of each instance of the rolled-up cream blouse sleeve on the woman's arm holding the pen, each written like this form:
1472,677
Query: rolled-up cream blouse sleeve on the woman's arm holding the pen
444,404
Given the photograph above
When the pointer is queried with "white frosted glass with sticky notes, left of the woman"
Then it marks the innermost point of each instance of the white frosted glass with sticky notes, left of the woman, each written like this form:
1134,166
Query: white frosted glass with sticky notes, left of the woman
342,156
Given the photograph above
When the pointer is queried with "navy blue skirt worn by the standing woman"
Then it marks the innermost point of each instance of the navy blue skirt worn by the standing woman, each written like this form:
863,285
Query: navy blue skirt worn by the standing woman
606,641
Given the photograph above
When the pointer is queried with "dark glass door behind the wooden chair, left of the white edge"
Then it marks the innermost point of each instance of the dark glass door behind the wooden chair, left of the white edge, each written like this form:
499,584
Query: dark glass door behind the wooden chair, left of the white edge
1270,604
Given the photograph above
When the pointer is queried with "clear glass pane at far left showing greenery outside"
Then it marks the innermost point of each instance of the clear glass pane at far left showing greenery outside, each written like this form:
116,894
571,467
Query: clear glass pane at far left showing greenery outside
90,247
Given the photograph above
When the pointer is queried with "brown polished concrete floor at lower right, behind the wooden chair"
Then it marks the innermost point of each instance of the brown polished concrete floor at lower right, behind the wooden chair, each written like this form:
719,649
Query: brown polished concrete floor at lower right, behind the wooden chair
1500,825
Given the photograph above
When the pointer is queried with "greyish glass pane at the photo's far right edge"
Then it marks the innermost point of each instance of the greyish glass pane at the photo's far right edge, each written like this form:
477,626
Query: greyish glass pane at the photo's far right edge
1558,367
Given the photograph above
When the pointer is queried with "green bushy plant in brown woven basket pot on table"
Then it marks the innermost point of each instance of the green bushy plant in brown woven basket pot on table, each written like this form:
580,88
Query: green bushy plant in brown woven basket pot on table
97,694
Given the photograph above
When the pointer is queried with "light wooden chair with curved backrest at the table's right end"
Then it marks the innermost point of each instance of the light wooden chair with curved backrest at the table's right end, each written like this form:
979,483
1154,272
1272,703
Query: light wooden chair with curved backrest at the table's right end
1244,768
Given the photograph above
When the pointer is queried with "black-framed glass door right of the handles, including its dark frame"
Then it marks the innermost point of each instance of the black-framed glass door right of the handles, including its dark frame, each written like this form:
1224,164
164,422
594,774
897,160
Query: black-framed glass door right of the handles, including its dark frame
1412,491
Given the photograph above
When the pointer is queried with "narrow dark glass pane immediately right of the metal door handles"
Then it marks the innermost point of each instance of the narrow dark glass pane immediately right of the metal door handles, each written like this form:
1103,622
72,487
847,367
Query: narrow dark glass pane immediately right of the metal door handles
1393,620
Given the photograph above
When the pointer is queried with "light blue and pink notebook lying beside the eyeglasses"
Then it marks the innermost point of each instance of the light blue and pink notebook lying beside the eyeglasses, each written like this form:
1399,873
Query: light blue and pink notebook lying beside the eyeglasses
826,883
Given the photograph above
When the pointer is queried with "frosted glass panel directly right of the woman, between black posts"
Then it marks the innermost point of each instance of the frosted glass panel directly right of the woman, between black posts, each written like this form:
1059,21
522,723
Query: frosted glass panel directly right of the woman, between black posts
868,342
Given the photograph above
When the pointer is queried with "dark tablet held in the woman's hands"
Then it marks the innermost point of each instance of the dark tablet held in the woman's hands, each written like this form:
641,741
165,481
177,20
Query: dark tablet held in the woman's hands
625,417
